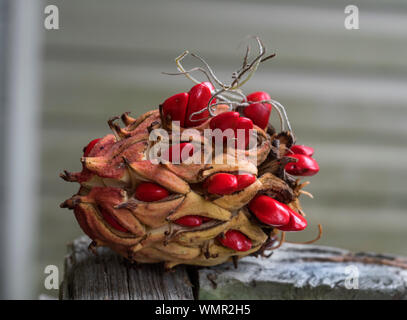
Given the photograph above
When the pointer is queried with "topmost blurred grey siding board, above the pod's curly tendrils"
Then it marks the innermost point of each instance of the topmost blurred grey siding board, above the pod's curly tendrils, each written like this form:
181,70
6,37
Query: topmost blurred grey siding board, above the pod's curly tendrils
297,33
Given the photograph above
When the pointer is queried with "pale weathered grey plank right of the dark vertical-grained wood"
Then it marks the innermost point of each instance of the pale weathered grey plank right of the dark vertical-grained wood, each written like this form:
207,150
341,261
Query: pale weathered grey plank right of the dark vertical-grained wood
308,272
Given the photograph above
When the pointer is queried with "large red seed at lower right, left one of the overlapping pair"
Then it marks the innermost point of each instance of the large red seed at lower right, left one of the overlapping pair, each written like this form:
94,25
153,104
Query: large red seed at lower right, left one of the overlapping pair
270,211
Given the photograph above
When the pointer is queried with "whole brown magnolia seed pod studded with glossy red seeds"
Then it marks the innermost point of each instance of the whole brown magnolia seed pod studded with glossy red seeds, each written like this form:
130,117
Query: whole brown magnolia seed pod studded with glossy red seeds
157,212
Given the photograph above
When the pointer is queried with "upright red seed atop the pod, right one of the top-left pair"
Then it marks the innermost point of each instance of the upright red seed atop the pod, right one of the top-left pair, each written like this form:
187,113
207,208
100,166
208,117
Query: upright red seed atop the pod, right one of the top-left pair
199,96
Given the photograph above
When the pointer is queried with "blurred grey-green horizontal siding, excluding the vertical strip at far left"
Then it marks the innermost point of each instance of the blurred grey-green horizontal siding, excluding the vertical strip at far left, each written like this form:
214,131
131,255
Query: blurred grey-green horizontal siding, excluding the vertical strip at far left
345,93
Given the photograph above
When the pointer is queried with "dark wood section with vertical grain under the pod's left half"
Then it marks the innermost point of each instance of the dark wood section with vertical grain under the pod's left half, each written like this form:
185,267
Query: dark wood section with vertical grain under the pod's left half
106,276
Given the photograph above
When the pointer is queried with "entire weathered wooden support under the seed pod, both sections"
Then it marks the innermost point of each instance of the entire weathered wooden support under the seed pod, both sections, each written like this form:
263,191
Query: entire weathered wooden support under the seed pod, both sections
292,272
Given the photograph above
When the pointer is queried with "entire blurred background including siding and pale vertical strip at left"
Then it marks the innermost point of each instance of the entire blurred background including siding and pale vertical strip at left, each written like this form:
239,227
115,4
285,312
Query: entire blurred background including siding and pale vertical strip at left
345,92
